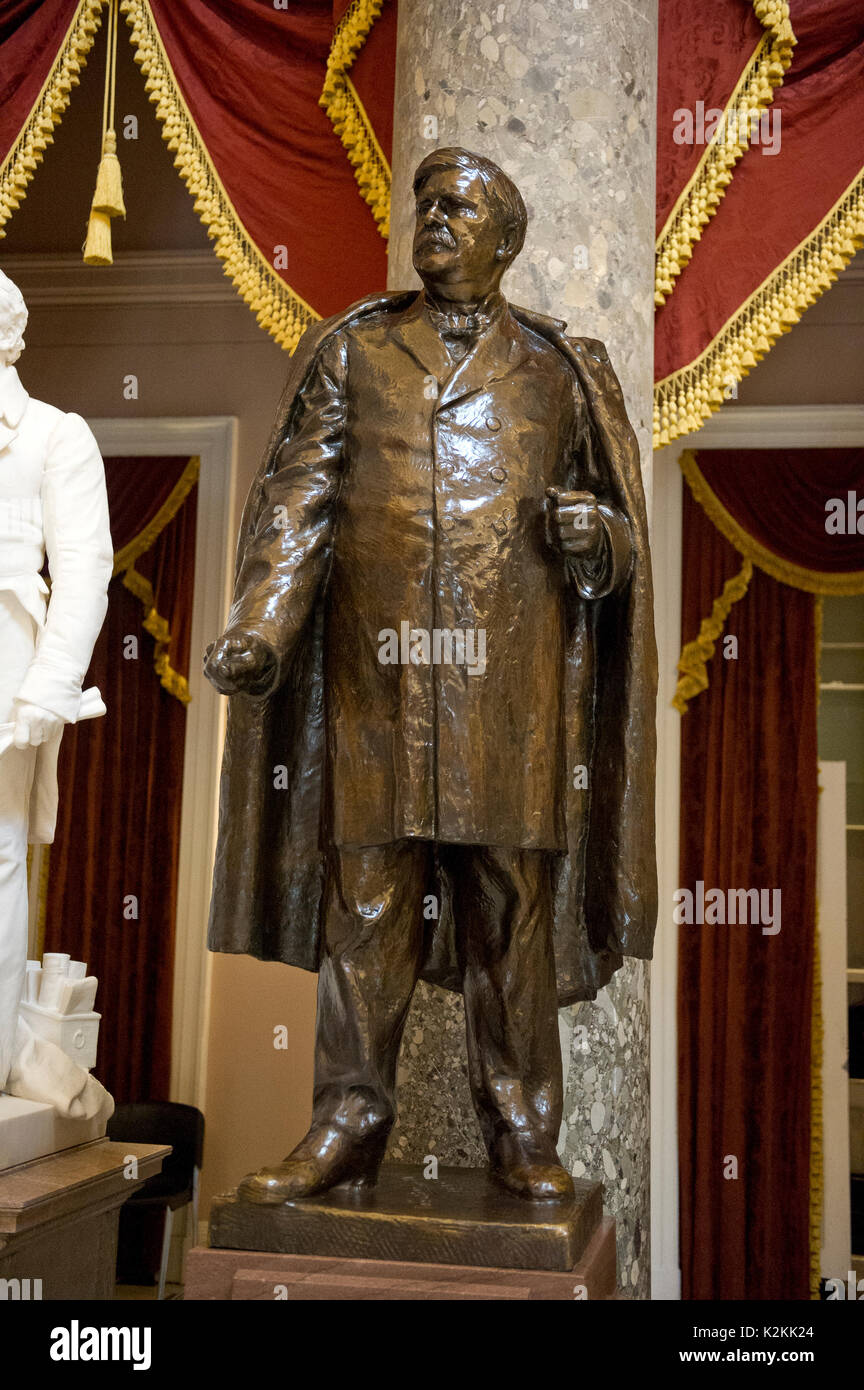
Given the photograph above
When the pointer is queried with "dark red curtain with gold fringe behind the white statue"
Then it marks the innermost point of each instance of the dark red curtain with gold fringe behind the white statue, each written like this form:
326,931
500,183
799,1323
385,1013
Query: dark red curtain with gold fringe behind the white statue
112,883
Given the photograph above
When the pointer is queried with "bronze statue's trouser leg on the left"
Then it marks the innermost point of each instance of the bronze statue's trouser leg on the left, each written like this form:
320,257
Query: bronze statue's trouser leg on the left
374,935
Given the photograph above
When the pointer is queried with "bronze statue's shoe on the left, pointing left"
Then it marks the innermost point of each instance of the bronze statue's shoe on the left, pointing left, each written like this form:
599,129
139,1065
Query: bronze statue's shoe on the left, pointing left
327,1157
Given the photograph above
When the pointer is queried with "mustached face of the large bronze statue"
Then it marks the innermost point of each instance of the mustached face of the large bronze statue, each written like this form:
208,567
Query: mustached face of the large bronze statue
458,237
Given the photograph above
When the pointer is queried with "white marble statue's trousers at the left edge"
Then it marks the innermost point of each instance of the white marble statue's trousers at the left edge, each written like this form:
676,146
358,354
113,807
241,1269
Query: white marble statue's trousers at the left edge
16,780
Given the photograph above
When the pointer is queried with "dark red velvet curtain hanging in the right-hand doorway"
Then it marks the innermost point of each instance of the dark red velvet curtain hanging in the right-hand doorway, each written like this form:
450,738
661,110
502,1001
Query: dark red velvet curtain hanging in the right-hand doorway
748,821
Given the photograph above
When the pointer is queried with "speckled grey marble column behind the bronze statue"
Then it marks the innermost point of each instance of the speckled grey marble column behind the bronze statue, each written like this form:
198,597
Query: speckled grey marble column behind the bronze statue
563,97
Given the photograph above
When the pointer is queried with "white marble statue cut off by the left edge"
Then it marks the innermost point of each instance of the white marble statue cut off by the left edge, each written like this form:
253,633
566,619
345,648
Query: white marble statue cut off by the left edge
52,502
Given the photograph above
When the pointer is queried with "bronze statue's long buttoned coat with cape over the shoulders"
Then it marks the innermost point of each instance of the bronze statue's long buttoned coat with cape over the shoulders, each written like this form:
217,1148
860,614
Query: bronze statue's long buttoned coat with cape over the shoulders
399,490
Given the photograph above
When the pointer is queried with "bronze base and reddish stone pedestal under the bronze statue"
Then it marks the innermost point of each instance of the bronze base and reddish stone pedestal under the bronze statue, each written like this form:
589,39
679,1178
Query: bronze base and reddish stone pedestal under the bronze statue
458,1236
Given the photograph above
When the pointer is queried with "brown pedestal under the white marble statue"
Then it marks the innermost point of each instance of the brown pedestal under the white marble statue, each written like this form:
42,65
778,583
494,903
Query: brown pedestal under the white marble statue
59,1218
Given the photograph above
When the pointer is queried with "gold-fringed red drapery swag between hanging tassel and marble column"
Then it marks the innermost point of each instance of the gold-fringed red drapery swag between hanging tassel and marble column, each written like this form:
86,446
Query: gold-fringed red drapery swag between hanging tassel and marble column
237,85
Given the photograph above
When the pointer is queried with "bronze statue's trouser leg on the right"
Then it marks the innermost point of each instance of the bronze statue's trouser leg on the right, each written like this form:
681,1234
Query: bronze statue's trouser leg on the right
502,901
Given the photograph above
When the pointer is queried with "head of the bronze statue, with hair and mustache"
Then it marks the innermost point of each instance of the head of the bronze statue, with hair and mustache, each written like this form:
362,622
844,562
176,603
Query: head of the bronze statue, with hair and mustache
470,220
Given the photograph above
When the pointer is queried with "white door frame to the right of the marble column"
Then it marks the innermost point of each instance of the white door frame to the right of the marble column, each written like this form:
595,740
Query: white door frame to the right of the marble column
734,427
